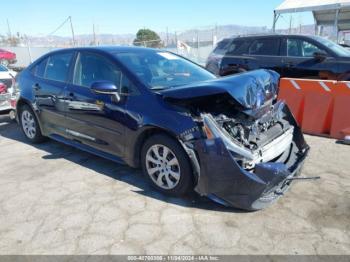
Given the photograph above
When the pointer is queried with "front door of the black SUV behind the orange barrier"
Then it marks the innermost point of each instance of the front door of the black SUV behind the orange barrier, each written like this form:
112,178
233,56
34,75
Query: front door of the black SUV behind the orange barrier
299,61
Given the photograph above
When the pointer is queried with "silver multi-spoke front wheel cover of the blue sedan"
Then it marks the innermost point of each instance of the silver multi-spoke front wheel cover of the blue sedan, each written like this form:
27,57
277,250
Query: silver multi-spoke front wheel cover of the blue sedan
163,166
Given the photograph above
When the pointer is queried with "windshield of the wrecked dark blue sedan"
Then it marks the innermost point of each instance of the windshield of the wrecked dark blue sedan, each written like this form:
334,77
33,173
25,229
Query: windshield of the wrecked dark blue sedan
163,70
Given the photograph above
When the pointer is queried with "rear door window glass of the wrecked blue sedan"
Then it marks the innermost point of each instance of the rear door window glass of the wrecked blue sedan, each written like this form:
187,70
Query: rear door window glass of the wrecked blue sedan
57,67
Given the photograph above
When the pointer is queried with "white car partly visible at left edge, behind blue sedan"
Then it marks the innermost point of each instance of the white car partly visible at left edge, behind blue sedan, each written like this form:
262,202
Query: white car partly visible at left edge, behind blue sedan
7,90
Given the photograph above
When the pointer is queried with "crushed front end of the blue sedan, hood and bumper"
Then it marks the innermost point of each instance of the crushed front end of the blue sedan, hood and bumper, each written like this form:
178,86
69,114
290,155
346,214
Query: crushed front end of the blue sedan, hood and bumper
250,148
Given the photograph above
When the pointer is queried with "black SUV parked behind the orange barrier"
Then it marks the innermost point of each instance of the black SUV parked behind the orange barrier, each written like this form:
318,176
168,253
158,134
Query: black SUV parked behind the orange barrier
295,56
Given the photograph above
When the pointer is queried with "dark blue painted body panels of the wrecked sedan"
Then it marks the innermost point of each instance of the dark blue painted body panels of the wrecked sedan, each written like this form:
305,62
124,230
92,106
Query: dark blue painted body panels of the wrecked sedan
99,124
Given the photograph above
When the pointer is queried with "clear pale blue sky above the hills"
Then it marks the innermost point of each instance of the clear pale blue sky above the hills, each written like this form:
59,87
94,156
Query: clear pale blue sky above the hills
41,17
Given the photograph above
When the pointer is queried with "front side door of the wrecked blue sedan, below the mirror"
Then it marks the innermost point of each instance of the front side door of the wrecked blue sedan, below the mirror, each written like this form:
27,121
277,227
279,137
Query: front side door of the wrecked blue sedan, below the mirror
94,119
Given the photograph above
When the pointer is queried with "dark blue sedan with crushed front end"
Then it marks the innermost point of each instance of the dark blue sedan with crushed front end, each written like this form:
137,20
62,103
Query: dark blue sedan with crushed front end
230,139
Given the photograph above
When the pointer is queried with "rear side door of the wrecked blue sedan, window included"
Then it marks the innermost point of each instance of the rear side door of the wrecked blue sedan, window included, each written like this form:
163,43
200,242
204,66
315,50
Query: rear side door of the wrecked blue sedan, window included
50,82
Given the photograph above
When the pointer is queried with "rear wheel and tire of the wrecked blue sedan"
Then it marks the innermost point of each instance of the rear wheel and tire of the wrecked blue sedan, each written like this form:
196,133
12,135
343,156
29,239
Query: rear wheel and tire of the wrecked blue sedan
29,125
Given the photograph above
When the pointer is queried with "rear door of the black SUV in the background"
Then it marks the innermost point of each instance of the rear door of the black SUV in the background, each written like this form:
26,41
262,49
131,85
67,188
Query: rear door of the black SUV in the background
265,54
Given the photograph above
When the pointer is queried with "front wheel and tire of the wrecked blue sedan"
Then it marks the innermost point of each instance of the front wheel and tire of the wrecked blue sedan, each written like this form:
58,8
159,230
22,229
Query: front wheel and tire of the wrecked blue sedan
174,168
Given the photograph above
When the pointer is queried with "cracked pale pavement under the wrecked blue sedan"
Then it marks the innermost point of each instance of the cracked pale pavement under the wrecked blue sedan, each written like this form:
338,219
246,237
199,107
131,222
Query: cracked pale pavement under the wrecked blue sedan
55,199
